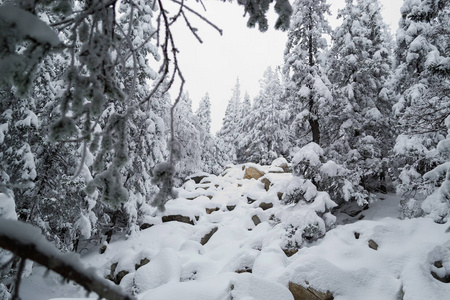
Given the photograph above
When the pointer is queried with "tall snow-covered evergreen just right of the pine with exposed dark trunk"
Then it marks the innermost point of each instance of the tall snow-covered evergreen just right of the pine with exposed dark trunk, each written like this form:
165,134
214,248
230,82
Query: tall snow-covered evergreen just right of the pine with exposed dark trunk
359,67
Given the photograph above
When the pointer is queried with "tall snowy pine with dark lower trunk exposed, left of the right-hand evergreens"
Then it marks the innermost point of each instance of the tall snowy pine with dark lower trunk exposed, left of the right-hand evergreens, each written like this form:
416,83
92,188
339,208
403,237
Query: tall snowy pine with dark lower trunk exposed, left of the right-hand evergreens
307,88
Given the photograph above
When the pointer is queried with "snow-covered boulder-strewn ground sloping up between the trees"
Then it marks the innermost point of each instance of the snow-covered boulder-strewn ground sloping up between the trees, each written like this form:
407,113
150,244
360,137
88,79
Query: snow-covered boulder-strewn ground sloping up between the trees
230,247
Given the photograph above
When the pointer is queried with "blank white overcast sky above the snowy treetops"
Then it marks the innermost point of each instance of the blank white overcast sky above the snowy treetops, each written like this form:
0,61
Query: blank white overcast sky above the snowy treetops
215,65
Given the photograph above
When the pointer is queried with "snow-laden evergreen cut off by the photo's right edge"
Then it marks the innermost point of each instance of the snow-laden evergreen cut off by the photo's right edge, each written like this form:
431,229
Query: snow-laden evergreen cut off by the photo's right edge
421,82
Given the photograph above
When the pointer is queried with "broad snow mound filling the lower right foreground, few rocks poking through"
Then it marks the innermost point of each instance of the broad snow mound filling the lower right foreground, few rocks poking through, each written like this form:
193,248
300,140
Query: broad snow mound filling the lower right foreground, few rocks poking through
349,269
